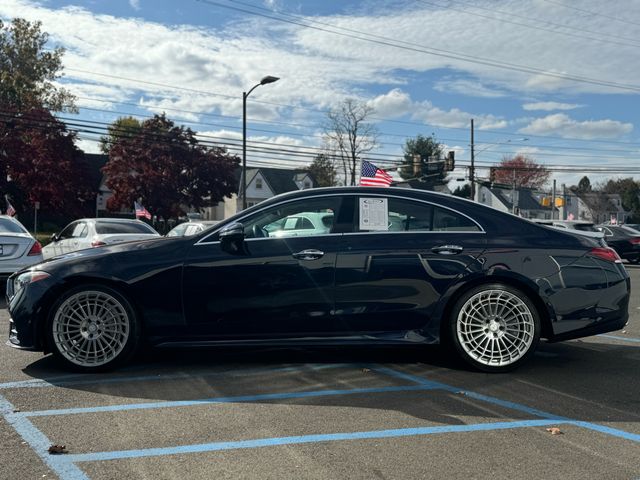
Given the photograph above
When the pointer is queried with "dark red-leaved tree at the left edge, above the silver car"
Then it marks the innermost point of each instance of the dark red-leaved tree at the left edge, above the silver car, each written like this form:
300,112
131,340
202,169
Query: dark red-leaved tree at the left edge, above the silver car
39,162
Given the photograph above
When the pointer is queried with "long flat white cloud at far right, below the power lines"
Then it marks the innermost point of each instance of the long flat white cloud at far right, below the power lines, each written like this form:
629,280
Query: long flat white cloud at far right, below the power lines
562,125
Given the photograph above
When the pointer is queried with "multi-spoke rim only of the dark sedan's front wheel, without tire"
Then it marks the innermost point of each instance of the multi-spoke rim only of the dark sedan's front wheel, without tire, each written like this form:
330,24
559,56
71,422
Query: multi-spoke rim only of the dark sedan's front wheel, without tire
91,328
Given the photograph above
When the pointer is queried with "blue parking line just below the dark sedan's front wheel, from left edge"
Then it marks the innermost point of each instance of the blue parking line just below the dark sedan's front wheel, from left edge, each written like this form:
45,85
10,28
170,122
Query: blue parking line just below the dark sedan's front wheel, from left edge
93,379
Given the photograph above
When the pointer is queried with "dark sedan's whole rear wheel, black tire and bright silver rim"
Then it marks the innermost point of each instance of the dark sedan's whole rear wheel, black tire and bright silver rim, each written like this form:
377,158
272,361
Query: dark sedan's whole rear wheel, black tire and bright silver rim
495,328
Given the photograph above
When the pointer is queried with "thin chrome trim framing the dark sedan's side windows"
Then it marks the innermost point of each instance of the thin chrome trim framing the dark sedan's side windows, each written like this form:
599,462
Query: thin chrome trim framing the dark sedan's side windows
204,241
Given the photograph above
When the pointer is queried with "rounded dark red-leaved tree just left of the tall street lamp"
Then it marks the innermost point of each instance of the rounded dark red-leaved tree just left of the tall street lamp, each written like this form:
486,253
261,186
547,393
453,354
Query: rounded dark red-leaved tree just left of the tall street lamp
168,169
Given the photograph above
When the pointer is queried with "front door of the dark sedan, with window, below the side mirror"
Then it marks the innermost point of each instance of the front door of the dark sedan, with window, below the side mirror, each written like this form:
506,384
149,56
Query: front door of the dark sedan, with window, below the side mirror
280,287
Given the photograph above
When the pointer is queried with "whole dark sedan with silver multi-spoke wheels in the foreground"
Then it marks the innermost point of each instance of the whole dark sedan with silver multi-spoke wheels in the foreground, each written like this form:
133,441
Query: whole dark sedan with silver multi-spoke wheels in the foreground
388,266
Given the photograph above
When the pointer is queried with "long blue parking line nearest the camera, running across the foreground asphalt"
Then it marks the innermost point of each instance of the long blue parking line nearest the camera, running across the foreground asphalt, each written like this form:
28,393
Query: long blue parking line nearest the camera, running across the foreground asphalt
328,437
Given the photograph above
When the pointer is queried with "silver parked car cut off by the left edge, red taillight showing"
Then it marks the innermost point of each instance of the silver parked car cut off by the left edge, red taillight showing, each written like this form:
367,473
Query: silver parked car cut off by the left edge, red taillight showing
18,248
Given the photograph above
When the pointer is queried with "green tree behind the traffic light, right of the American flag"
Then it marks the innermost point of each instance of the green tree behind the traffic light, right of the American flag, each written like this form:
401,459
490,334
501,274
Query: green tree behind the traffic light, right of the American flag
427,148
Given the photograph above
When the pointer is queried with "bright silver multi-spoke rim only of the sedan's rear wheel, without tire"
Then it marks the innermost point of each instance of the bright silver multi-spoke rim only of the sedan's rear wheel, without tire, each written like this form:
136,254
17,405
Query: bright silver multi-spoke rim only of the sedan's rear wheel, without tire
495,327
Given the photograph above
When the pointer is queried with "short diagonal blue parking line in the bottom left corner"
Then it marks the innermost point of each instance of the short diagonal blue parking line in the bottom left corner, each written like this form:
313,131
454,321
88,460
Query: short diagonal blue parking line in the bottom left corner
38,441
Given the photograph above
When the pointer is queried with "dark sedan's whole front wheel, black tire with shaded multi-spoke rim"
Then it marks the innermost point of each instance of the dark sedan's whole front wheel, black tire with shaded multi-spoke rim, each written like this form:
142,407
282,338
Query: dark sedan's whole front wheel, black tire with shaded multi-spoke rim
111,329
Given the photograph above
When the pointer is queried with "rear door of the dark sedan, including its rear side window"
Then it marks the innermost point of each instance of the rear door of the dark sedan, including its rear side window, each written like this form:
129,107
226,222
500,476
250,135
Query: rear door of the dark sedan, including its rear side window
392,280
